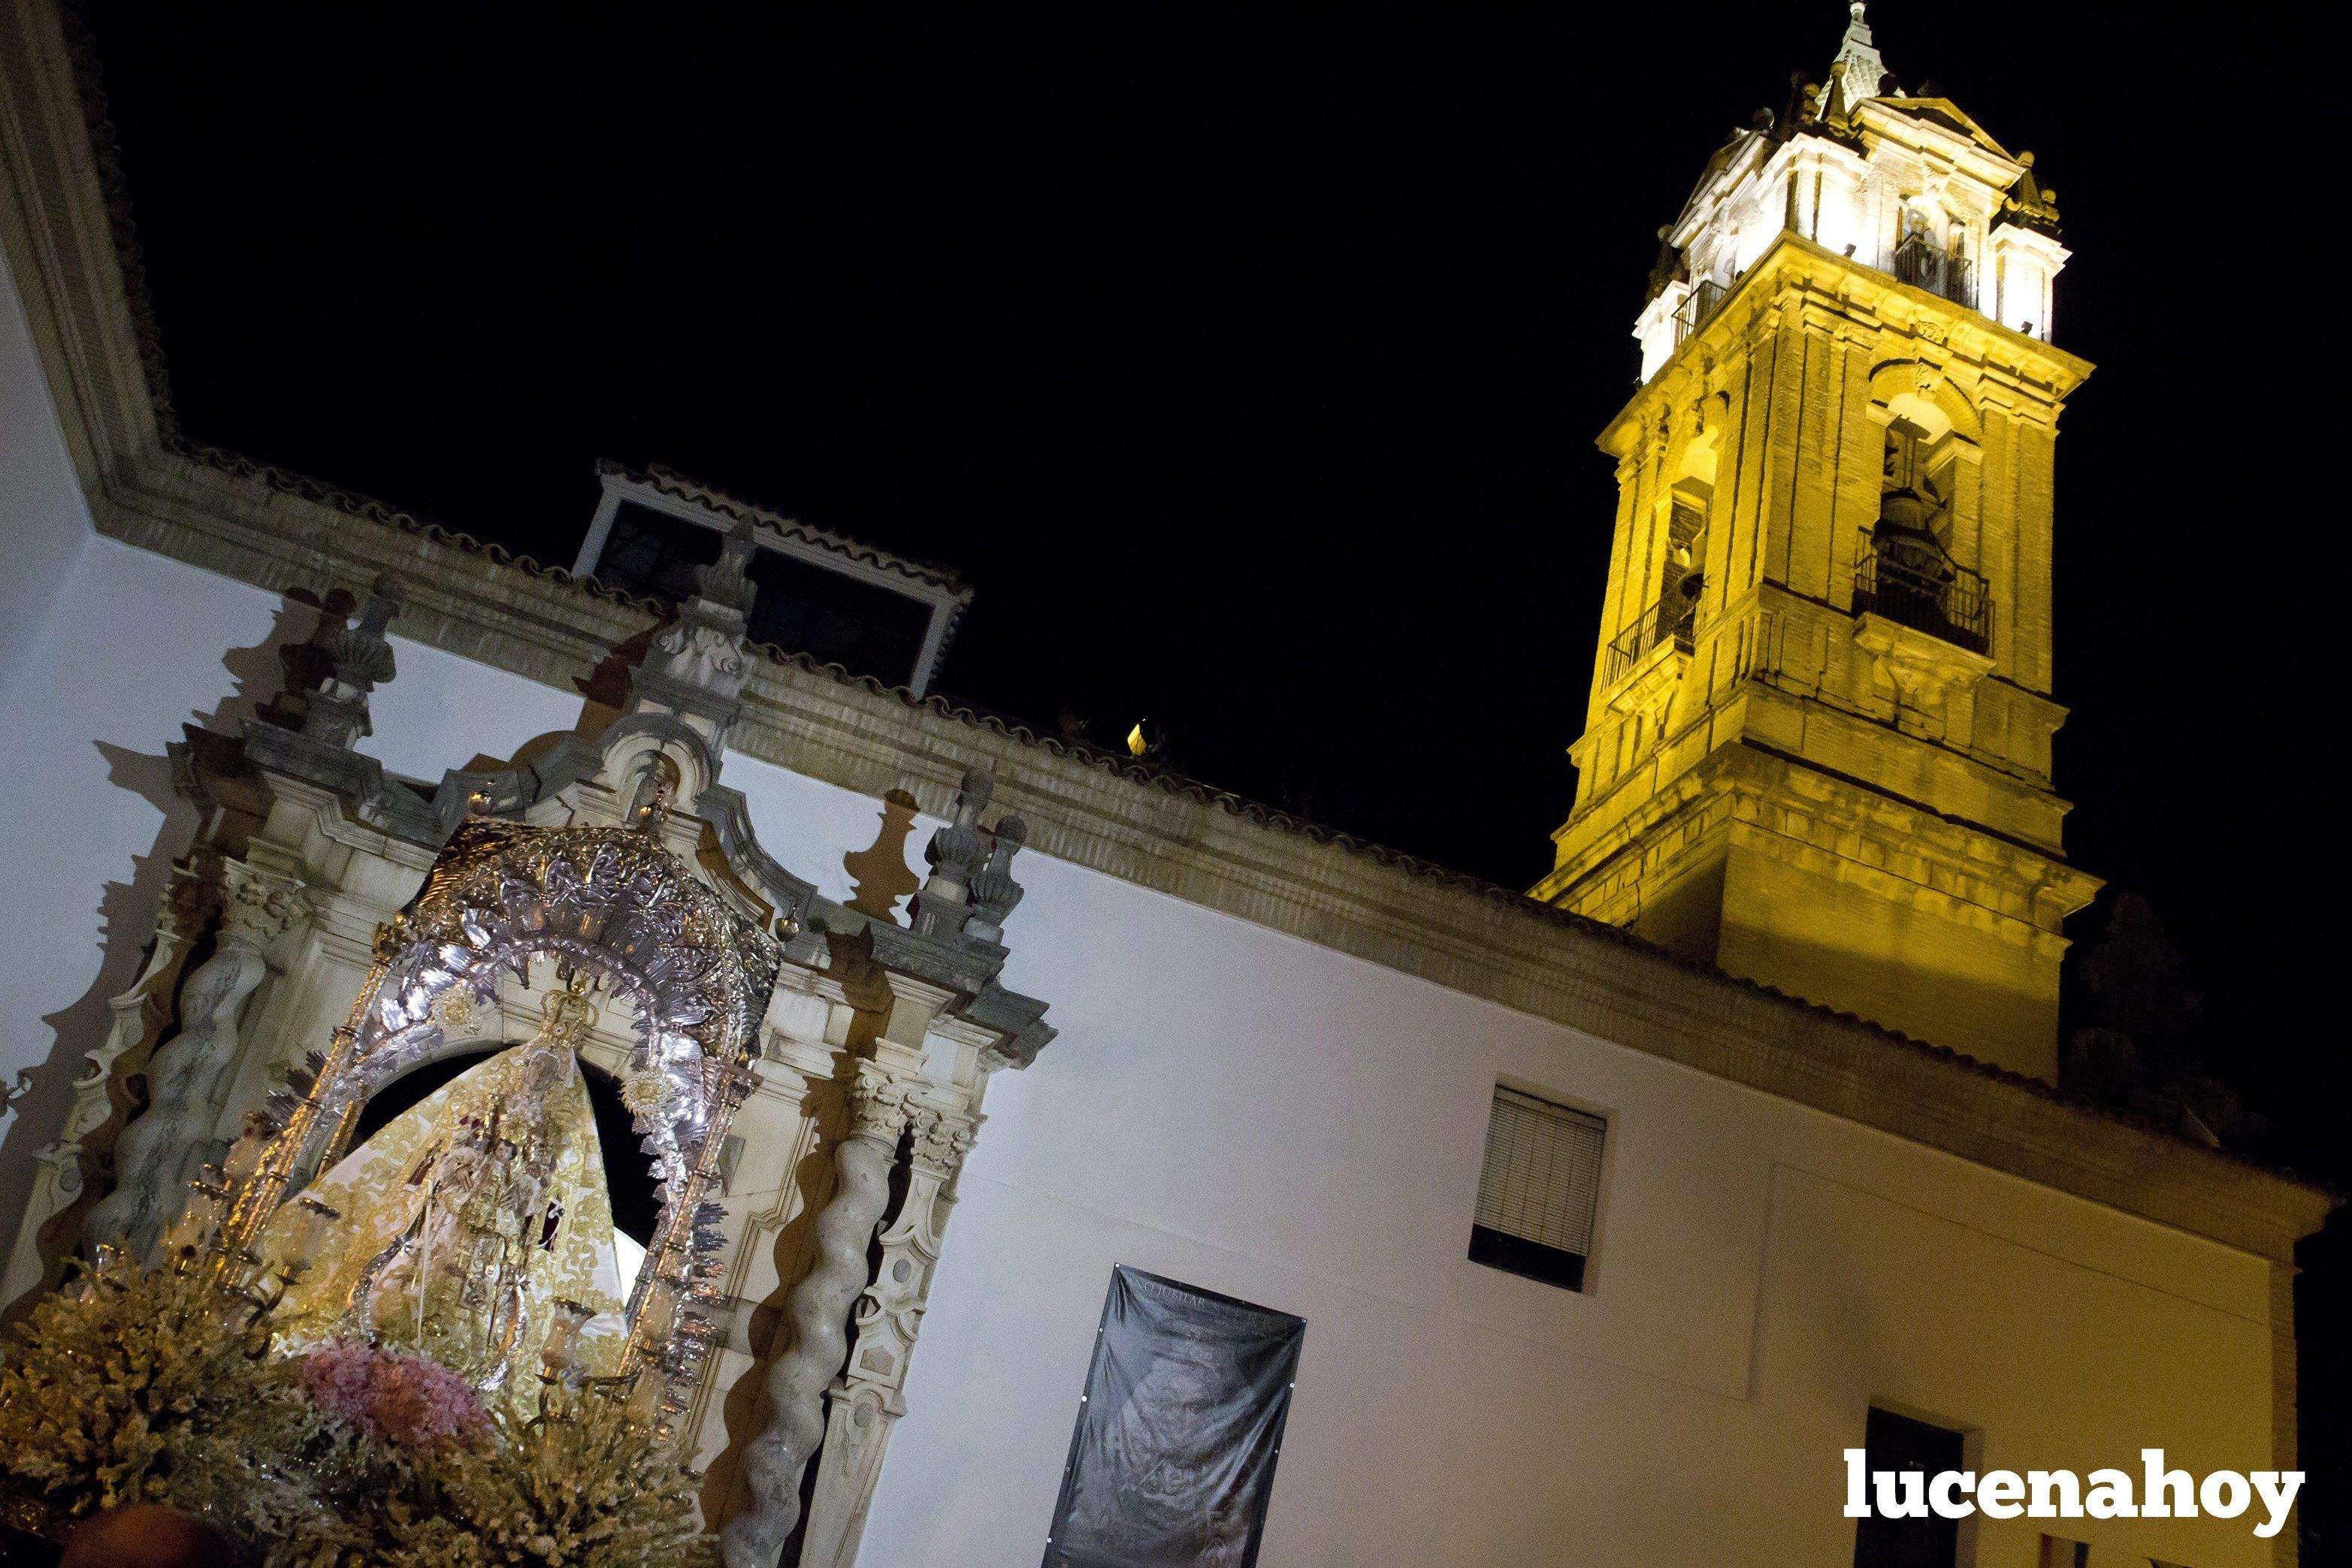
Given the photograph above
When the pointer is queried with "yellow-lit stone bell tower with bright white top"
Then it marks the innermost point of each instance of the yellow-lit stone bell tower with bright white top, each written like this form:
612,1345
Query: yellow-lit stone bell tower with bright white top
1819,739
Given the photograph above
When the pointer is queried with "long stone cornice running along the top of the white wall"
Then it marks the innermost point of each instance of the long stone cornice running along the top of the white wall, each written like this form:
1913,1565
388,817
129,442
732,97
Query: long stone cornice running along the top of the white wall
1093,810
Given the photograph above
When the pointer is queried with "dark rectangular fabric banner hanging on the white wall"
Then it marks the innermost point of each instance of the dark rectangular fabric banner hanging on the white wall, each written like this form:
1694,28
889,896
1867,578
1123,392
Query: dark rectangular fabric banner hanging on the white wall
1177,1440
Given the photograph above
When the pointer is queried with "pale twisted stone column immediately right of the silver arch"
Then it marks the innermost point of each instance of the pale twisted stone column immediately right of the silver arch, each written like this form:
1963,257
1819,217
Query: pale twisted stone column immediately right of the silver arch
820,1308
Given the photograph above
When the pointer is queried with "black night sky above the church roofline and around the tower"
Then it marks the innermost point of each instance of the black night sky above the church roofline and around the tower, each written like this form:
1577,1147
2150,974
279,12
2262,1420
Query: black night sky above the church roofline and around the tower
1248,361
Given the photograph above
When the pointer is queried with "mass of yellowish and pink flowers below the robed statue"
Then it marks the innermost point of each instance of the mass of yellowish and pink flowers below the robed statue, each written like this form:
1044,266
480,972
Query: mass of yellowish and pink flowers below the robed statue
149,1386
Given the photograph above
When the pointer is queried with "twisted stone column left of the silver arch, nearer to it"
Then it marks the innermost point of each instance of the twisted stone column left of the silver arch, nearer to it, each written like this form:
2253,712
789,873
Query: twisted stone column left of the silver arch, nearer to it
168,1146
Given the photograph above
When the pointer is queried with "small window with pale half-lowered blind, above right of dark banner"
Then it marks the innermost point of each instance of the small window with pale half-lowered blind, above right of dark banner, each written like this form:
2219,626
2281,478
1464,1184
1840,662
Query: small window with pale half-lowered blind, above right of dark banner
1539,1191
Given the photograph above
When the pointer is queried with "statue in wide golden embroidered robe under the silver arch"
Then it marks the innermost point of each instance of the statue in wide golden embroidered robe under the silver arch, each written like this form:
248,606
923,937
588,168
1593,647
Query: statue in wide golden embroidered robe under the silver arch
474,1228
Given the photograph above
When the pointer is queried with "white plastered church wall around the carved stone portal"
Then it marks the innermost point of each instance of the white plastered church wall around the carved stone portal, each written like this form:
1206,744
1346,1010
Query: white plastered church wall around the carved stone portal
1278,1123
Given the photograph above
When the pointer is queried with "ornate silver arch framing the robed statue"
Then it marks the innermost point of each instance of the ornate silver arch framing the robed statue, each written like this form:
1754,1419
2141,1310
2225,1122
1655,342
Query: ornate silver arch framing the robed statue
617,906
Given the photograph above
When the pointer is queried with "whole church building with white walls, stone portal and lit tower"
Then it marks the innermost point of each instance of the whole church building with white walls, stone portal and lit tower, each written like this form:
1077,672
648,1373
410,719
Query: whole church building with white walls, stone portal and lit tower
1598,1224
